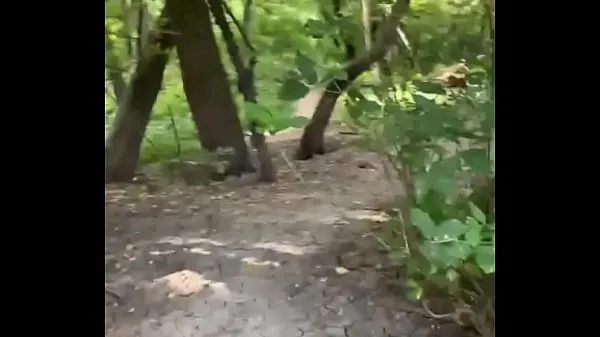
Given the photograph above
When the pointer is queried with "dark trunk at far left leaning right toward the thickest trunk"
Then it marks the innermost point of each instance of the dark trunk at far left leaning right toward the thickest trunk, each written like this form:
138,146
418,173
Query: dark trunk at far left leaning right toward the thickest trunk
123,145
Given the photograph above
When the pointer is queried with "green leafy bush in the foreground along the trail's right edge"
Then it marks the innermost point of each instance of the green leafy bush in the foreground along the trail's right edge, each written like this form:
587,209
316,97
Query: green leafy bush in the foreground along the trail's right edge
439,142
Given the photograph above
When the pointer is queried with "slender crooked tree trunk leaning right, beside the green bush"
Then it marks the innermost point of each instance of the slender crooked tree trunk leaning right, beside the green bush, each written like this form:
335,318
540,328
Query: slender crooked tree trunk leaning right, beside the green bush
312,141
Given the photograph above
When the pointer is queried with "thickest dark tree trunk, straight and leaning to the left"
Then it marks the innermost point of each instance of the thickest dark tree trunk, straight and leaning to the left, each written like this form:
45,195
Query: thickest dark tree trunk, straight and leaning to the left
205,82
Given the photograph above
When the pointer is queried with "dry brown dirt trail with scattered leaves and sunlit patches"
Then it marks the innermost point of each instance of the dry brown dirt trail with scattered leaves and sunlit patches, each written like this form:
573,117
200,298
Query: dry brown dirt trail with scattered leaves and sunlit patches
288,259
